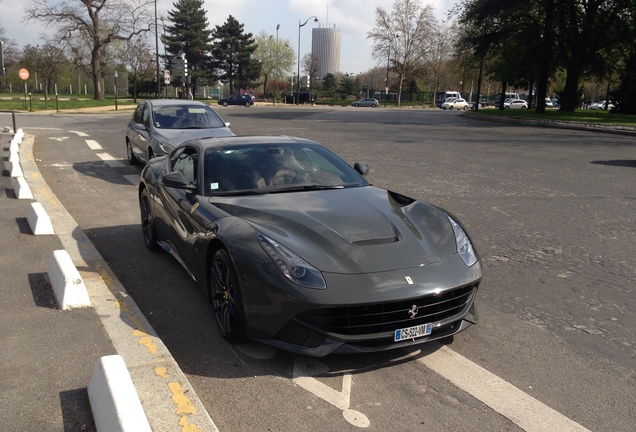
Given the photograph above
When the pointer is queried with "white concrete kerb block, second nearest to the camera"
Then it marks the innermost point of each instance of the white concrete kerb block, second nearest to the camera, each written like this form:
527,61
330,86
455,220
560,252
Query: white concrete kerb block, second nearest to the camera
68,286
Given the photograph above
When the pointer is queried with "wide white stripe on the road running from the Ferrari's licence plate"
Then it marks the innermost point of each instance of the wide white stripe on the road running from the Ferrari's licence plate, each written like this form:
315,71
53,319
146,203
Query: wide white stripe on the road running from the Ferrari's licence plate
520,408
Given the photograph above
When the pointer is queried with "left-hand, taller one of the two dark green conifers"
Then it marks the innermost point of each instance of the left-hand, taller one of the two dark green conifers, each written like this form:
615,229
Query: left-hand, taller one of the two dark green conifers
189,35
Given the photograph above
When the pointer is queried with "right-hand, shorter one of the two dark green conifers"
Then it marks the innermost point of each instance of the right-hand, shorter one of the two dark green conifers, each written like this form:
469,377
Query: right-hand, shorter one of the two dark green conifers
232,57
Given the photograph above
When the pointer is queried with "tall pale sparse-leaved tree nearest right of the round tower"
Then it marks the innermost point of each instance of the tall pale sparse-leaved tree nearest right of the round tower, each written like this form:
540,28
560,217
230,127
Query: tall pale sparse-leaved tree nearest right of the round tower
402,37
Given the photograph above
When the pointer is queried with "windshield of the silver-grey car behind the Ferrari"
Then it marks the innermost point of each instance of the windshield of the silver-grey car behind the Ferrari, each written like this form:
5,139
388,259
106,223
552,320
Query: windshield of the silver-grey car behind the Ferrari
186,117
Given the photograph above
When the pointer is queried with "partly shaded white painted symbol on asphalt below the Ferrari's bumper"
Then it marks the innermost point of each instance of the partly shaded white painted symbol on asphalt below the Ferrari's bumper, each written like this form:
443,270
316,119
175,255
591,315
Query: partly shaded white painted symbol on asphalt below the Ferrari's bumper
339,399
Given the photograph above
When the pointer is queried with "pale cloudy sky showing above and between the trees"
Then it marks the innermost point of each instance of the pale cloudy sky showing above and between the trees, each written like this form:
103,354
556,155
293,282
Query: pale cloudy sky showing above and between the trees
354,18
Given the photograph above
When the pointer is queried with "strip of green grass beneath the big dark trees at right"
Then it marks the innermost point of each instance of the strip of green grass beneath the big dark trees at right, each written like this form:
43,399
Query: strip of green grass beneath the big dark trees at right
580,116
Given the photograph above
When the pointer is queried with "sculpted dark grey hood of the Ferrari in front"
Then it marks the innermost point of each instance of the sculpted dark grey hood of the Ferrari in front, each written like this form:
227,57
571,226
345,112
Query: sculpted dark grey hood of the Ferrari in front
354,230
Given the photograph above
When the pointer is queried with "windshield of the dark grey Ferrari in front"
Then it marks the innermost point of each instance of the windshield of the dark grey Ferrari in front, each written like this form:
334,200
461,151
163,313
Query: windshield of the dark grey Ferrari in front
272,168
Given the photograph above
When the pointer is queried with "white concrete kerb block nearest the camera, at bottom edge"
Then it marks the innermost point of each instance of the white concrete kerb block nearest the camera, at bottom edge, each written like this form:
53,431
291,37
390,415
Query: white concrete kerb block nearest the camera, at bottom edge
114,401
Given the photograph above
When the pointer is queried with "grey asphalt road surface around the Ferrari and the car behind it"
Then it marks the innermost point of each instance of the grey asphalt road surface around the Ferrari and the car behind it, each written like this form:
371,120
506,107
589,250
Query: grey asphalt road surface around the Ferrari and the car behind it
552,213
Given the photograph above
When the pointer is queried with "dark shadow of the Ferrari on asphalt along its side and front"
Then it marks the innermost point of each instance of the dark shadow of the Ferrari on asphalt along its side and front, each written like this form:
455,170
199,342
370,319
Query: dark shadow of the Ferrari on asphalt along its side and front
182,317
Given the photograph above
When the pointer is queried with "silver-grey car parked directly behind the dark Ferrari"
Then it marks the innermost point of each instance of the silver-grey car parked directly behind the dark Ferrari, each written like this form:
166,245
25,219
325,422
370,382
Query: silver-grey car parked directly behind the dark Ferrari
158,126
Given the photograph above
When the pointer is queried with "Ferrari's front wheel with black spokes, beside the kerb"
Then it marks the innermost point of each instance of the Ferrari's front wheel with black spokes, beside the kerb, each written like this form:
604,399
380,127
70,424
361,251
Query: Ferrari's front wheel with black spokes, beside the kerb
226,297
